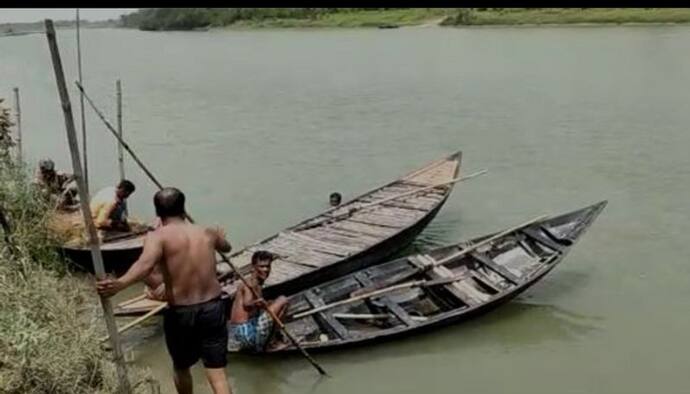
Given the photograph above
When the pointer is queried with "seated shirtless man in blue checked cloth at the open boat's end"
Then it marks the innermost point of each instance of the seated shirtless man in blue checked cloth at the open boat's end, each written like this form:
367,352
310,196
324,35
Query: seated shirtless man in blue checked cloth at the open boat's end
251,325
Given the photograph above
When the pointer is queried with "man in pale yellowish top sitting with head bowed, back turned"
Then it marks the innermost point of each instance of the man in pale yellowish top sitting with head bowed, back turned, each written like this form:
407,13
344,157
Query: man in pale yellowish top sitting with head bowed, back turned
109,207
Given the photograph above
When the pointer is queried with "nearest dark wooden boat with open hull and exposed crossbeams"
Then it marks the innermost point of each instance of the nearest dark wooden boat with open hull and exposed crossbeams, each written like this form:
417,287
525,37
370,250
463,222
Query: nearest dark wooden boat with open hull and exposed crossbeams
425,291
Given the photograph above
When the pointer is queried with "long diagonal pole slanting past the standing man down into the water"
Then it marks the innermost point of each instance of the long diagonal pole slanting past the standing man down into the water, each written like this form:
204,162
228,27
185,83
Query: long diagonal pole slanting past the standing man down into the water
222,255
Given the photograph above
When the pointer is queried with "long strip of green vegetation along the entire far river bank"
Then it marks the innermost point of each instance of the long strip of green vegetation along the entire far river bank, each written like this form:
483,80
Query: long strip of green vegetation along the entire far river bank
200,18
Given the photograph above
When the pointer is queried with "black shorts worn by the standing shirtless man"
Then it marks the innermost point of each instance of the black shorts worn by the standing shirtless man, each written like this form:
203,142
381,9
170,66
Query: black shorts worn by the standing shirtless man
197,331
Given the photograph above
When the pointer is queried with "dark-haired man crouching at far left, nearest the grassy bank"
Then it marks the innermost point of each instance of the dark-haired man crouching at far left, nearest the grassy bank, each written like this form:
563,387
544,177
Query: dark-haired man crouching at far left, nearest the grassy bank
59,187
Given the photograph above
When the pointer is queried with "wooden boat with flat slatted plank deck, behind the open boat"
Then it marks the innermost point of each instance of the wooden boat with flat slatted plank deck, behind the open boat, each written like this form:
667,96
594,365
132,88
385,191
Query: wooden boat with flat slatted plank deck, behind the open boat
351,236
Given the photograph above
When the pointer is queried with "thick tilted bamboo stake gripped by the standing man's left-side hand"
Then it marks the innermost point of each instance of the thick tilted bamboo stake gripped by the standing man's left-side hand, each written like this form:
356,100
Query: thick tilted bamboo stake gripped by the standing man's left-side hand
96,256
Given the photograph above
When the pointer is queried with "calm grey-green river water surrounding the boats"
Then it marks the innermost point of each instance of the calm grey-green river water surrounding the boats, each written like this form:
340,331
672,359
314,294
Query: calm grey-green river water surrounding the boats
258,127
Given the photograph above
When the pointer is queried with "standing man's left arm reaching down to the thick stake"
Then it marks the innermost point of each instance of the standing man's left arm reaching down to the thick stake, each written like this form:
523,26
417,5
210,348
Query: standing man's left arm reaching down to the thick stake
152,254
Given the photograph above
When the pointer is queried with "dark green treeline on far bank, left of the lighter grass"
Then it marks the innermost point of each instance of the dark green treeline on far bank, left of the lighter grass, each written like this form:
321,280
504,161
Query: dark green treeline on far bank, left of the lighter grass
194,18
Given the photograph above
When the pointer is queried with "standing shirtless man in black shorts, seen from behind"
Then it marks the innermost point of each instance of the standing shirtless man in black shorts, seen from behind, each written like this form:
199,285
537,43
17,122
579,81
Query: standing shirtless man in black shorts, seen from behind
195,322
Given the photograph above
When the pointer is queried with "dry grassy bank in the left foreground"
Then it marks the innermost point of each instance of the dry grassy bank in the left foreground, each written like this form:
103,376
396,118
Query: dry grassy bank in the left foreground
49,319
